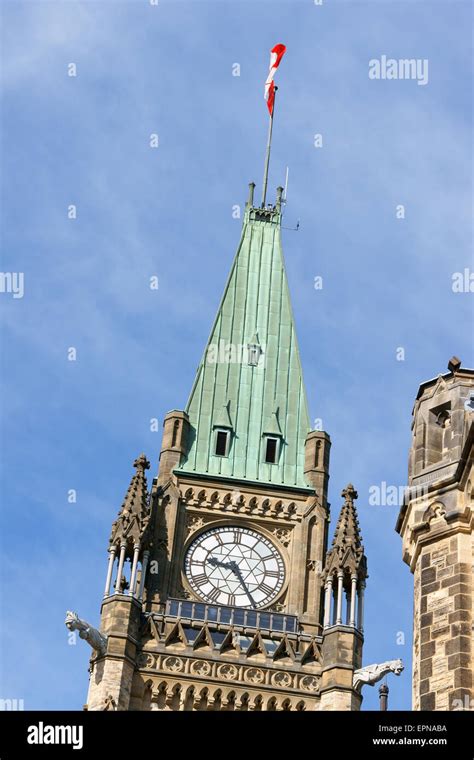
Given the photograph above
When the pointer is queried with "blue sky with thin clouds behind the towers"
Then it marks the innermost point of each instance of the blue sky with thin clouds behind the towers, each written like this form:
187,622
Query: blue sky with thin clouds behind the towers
387,282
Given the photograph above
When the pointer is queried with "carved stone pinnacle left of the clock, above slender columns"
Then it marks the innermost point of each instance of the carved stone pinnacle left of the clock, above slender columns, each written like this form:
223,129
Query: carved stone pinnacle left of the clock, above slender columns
134,514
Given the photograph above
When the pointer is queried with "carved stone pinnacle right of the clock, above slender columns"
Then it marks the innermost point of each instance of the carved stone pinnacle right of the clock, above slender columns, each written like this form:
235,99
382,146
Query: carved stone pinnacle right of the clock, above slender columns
347,550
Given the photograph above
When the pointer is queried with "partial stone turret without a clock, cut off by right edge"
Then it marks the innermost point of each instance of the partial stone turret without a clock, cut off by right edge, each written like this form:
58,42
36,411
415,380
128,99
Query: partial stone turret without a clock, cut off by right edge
436,525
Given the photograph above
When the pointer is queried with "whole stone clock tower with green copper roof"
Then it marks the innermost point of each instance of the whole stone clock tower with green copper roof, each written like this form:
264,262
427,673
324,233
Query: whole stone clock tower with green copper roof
225,597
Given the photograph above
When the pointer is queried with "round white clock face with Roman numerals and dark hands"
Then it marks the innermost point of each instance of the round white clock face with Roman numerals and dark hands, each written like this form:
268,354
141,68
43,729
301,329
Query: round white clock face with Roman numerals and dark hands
234,566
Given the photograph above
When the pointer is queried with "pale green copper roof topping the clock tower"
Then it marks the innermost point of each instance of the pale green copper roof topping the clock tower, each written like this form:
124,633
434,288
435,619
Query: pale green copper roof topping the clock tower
249,387
